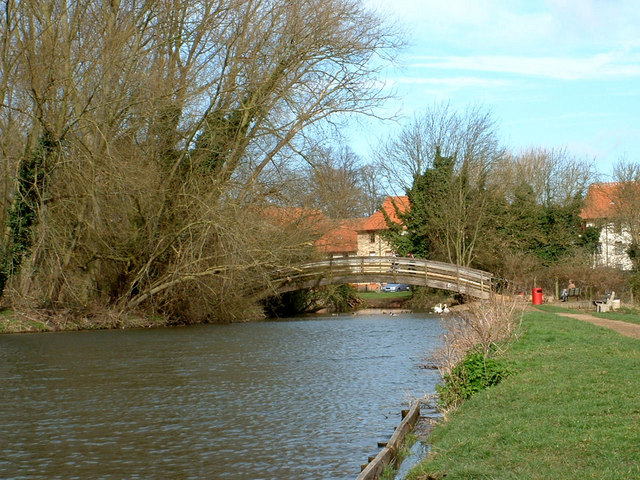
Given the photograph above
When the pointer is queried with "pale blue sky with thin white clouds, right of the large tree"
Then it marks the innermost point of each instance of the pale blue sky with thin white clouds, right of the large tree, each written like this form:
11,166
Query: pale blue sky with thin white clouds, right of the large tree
552,73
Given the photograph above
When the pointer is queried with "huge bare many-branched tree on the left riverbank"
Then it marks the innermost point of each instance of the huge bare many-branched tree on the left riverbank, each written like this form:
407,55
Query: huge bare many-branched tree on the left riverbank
167,121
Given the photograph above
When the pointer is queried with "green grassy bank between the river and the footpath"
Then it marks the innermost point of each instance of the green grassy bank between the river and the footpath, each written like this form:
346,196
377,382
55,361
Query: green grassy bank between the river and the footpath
571,411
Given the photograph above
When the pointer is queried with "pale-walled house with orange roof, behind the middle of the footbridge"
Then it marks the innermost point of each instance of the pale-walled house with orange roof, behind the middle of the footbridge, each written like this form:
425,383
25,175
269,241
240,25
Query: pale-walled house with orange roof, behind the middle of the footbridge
370,240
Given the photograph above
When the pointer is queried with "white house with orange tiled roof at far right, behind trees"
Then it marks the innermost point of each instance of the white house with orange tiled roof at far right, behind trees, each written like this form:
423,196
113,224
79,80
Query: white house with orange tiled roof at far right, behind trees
600,210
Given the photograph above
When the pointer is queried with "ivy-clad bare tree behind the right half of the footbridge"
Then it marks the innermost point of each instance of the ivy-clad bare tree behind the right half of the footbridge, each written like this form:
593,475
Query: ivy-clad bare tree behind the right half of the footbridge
444,160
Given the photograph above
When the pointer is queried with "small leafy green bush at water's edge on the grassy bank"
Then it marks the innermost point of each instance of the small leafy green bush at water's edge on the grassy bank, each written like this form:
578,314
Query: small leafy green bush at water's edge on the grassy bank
474,373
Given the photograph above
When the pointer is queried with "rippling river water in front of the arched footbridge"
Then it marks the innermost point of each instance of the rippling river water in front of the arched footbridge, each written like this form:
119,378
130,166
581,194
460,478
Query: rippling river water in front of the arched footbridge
295,399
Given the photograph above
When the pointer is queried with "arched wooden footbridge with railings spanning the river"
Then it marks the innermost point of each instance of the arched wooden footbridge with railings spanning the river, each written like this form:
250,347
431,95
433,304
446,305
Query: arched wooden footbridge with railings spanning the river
411,271
